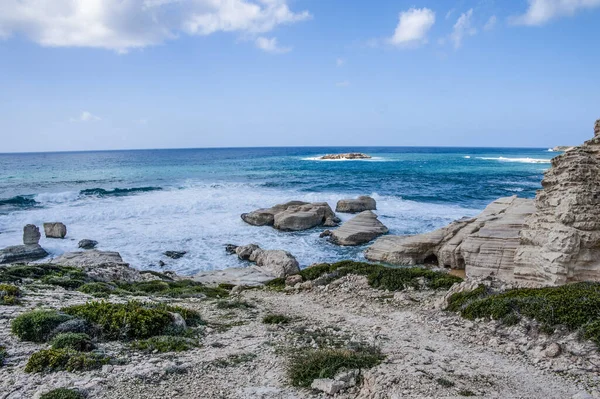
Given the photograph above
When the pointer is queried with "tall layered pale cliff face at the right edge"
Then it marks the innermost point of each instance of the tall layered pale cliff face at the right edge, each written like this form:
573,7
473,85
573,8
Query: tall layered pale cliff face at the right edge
561,241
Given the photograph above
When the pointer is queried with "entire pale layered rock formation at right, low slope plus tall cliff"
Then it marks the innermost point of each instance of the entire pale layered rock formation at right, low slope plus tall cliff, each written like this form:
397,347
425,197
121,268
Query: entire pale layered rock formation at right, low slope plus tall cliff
553,240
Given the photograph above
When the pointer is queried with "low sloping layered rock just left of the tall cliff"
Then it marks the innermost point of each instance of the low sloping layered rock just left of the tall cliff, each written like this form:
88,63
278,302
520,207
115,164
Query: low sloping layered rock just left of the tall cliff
487,243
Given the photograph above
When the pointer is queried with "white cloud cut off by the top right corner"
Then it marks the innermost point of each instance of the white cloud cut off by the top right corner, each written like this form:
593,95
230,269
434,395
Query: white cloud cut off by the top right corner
541,11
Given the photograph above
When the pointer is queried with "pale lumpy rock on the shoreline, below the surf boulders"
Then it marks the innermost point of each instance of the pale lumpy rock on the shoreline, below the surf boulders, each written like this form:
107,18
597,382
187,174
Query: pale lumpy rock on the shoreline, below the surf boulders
276,263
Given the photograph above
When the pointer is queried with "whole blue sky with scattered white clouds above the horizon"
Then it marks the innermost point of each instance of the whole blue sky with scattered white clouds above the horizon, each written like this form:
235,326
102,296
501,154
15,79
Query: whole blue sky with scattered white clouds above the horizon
128,74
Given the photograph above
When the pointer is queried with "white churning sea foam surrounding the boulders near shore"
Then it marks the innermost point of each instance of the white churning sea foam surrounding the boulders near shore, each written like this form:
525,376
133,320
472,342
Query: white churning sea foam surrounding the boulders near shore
201,219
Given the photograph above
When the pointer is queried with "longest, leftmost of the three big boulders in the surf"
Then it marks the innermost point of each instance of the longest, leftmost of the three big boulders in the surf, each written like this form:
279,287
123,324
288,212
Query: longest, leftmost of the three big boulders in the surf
293,216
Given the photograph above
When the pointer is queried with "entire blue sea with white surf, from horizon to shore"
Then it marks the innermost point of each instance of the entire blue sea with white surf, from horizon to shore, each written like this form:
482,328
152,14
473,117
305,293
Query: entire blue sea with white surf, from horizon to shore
142,203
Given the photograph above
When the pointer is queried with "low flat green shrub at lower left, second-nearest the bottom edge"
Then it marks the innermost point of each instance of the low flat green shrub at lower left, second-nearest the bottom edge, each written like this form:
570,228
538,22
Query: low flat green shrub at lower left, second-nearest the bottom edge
63,359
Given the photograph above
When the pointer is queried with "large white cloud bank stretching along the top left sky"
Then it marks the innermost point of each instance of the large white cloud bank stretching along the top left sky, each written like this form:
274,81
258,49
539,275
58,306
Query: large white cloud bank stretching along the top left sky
122,25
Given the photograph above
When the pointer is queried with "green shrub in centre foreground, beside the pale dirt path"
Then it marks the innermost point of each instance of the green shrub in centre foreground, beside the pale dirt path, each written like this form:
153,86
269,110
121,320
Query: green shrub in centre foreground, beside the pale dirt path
306,366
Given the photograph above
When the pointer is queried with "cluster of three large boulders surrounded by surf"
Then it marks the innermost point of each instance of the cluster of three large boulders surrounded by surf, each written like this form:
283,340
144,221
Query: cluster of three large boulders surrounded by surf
298,215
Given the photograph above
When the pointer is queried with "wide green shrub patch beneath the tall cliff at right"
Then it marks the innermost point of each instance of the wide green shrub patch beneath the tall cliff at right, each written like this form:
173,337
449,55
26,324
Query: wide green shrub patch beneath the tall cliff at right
575,306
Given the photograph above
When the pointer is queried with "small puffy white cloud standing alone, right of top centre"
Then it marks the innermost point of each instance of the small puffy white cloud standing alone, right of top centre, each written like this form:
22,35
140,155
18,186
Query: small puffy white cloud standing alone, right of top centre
413,26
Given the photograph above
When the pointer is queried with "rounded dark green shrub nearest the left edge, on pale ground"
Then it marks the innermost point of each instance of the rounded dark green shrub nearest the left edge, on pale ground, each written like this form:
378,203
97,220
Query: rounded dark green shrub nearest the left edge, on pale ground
37,325
